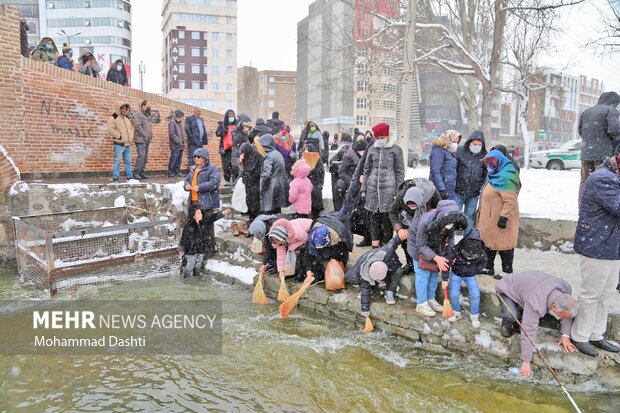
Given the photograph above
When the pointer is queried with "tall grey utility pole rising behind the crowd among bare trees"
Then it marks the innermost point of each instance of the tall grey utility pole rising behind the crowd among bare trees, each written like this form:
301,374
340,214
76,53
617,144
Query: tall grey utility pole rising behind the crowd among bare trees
408,105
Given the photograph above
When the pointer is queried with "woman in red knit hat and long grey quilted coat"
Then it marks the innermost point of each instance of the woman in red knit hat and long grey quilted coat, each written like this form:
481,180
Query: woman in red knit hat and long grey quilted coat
384,172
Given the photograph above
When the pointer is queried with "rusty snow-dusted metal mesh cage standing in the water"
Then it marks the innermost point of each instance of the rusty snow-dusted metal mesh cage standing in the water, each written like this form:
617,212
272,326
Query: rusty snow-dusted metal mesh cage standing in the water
109,245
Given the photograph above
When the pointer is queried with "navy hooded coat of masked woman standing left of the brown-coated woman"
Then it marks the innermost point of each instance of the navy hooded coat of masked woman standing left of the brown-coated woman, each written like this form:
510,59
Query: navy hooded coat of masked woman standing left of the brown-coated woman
470,172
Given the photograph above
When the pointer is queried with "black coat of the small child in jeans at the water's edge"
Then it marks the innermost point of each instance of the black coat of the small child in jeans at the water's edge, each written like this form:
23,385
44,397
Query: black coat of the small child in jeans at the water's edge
470,256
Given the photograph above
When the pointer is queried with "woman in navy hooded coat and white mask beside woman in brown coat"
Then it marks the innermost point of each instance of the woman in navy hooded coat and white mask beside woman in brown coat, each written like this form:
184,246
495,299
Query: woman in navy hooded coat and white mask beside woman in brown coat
470,176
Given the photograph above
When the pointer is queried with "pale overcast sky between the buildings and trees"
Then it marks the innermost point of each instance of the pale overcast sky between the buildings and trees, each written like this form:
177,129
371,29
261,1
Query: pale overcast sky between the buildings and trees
267,38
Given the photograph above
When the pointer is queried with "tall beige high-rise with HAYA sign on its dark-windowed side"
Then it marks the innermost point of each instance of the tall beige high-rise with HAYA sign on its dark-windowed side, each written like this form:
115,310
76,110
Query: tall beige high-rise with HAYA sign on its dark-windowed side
200,52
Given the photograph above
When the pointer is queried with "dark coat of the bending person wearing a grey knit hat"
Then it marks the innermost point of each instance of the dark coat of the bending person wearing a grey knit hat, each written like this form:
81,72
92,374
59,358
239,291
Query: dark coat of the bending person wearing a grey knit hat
359,274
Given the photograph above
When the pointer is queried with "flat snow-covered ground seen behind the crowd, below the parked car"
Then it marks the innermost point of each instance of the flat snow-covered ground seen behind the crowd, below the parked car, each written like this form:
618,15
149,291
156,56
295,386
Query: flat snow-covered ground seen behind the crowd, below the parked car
544,194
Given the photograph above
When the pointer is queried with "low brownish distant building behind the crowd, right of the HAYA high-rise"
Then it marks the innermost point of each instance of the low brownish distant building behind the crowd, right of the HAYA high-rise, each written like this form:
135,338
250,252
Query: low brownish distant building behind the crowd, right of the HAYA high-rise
263,92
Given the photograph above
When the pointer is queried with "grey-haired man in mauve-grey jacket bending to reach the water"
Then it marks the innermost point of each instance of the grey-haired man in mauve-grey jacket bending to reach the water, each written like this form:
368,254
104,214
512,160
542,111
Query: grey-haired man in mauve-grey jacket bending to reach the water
530,295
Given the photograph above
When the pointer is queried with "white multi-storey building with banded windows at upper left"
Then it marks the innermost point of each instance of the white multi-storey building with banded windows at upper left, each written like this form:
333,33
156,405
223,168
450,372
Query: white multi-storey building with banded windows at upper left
101,26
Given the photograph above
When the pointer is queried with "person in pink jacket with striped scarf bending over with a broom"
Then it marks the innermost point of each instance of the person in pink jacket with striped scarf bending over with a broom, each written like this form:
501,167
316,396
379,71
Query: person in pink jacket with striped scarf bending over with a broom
287,236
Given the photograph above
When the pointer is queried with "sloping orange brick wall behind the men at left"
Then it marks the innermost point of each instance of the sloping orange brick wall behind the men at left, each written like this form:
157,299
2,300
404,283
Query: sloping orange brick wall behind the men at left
53,121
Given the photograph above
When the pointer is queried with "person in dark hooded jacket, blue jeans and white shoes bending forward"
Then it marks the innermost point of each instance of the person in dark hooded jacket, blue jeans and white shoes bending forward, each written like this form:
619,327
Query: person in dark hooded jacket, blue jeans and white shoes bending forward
434,239
